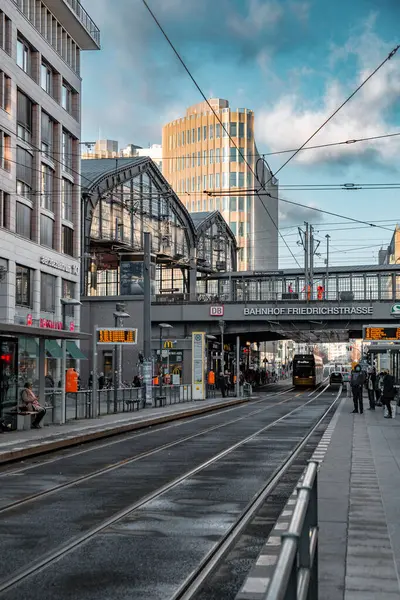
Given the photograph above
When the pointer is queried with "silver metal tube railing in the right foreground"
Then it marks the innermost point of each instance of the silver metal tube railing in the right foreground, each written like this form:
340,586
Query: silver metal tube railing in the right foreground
296,573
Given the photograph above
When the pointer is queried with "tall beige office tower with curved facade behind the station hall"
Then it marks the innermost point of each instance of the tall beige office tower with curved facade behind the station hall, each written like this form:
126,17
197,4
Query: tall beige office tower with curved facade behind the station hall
199,156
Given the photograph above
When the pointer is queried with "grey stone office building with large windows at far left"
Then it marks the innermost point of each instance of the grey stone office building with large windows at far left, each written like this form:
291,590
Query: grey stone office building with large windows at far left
40,208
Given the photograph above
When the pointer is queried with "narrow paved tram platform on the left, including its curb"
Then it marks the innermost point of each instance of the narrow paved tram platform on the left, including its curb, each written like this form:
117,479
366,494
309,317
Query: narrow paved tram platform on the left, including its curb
21,444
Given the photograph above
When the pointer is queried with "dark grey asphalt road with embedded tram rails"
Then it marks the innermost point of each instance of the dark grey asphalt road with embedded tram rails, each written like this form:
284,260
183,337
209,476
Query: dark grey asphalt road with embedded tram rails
149,553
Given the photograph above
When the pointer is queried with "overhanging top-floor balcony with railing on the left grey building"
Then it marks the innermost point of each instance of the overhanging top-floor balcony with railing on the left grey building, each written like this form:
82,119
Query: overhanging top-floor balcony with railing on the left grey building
75,19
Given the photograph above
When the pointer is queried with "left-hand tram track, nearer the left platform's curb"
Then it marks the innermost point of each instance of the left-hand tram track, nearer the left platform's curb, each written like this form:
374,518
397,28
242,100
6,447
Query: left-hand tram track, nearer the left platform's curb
15,504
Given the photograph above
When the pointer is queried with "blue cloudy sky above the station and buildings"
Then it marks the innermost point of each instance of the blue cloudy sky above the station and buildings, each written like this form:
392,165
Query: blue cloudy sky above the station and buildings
291,61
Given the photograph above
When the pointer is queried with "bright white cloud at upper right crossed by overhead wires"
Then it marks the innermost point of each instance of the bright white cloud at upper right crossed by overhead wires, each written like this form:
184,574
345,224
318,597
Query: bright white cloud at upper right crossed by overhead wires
293,118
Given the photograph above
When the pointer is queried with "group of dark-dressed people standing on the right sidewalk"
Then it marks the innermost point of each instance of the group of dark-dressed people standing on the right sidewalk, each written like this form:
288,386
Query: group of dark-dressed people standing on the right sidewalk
381,389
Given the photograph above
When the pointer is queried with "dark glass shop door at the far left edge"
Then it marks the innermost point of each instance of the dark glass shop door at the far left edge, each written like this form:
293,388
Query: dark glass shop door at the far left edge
8,375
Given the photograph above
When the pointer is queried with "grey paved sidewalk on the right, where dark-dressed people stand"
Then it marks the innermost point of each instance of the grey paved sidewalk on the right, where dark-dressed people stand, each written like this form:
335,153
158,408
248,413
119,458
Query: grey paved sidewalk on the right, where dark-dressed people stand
359,508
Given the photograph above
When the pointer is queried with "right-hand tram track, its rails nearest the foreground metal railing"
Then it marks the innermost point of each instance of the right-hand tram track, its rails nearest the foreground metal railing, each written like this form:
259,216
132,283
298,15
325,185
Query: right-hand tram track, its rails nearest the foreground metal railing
38,566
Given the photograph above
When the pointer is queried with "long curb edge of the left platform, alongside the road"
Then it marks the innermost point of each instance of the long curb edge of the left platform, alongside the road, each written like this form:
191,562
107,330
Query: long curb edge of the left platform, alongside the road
75,439
